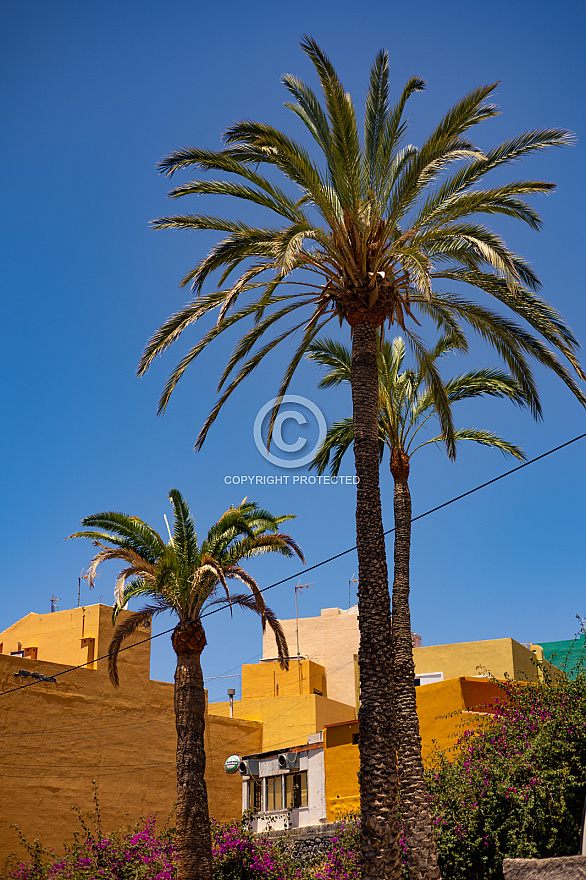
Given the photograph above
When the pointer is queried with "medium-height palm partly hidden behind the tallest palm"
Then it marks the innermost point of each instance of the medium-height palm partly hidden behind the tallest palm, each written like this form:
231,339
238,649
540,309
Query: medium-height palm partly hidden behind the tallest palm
405,407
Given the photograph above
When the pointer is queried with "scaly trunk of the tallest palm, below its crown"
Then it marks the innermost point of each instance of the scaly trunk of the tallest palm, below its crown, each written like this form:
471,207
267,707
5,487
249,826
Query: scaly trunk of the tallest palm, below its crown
380,855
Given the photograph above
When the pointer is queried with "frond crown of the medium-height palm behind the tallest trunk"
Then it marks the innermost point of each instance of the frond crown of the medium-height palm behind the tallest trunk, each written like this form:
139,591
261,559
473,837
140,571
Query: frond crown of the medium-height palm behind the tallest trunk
406,402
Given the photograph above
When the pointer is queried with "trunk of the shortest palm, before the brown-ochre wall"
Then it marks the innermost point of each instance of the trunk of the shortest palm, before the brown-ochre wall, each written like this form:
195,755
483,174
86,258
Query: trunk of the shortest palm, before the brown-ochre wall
194,846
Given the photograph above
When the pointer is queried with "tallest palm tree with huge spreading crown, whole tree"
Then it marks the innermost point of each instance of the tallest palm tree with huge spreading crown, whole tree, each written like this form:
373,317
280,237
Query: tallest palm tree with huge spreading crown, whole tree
370,230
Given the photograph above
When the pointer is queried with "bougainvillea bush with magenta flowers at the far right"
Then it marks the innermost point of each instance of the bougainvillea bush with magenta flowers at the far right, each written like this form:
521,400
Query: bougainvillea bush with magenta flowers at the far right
516,787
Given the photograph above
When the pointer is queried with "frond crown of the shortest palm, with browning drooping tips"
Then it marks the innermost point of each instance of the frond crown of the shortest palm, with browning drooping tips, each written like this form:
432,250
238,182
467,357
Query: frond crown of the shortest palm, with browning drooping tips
181,575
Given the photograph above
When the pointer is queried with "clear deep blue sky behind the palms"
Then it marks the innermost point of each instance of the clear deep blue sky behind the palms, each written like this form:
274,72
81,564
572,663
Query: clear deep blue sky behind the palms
92,96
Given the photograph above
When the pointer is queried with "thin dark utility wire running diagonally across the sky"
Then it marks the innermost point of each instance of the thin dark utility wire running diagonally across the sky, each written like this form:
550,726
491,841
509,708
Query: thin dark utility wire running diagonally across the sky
304,571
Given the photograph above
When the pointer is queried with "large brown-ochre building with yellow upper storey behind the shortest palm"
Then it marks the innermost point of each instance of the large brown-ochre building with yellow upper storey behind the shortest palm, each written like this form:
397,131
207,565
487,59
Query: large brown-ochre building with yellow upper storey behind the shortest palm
55,738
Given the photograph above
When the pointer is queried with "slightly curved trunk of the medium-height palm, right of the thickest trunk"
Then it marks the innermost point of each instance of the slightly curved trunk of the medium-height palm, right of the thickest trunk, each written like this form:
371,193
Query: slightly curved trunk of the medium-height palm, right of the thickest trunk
416,818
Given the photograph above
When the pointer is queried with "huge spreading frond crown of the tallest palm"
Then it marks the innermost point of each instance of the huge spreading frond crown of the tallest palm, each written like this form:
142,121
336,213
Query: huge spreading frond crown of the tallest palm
366,218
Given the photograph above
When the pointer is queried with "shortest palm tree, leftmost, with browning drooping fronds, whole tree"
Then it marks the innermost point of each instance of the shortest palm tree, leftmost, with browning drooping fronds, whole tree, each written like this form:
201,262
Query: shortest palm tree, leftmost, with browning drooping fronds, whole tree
186,577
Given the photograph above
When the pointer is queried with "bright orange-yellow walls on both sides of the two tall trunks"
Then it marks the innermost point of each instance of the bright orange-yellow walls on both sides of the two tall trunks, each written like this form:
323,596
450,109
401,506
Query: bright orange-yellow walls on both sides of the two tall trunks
471,697
